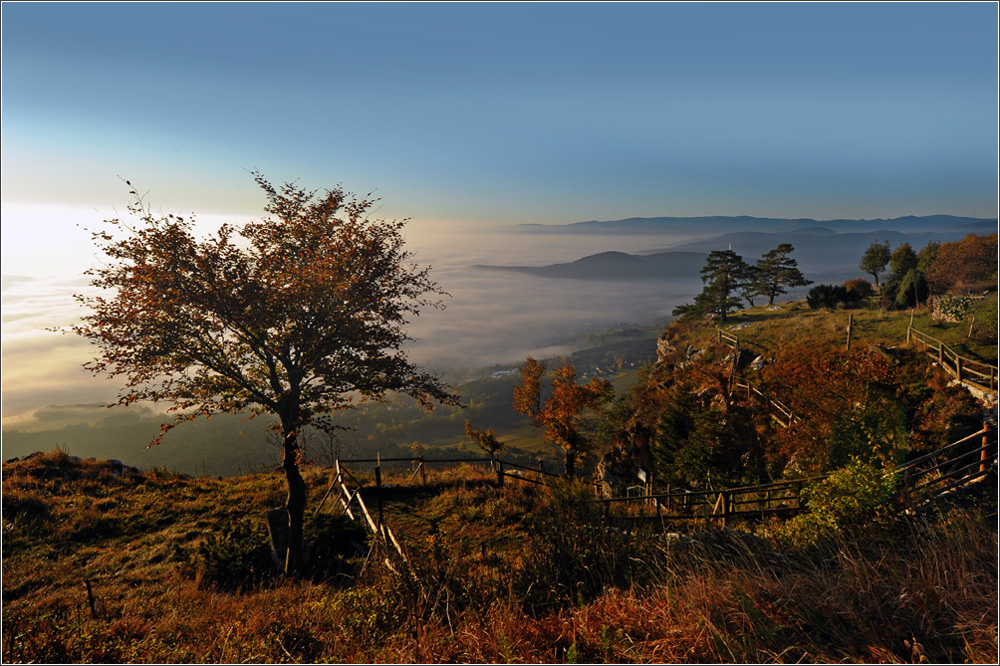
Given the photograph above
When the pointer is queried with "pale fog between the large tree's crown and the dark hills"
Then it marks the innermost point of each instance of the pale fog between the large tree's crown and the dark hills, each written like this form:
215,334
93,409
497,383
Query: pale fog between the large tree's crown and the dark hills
502,316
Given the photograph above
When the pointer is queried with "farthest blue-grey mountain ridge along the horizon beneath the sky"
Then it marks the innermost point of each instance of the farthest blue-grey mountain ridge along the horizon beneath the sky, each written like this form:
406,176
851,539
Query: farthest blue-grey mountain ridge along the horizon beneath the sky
722,224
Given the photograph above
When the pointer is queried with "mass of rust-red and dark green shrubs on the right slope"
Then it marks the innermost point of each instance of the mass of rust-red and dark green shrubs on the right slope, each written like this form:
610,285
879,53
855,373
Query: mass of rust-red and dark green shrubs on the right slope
874,403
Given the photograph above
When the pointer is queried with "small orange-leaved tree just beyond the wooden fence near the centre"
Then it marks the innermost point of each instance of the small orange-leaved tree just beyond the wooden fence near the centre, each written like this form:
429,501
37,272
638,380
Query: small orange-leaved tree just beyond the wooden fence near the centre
562,413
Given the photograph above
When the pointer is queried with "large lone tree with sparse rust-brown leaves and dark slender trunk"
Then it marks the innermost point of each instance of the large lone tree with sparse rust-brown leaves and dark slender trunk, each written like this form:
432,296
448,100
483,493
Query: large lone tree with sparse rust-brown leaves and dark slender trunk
299,314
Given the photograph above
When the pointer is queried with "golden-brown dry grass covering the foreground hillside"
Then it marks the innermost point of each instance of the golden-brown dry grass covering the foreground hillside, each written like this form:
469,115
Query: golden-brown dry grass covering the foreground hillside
519,574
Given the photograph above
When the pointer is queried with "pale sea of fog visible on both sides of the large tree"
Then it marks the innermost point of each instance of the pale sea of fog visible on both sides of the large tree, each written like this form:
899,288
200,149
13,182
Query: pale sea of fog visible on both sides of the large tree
490,316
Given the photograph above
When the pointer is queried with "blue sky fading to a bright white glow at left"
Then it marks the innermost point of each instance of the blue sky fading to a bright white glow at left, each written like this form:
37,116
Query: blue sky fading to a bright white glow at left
477,115
